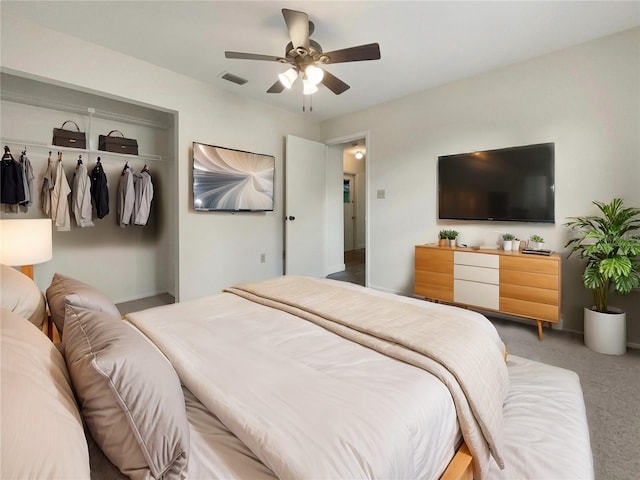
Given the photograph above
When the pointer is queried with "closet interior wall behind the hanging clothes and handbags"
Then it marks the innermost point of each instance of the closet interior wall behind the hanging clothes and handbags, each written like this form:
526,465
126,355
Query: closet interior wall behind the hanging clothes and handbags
125,263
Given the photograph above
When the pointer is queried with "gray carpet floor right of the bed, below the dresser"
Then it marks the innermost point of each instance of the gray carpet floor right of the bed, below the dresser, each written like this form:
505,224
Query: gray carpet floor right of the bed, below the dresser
611,388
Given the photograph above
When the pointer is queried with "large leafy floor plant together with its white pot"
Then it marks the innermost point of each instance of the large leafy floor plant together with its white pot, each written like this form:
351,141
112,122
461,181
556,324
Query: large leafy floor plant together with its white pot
606,242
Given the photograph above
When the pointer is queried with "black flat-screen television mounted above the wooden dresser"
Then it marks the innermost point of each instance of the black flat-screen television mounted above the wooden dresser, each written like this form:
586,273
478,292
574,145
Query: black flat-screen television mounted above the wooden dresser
508,184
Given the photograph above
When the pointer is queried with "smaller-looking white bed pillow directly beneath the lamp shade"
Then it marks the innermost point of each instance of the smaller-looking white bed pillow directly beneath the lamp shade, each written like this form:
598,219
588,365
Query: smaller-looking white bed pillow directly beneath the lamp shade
20,294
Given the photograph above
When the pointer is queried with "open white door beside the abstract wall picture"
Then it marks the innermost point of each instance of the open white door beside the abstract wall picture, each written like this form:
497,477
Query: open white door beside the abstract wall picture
305,219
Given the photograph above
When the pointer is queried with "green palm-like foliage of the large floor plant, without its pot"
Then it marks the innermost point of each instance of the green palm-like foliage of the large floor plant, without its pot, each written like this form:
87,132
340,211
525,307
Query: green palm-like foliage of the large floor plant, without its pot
611,250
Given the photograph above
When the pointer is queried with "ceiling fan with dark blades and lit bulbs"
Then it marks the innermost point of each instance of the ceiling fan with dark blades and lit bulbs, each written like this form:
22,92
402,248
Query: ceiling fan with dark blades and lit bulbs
307,58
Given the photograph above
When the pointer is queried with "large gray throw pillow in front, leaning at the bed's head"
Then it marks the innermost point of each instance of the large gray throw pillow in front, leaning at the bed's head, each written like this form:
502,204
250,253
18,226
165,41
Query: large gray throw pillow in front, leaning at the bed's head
129,395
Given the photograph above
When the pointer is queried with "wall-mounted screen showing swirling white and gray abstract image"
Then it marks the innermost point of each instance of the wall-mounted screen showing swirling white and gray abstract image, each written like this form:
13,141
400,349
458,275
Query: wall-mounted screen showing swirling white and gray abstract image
231,180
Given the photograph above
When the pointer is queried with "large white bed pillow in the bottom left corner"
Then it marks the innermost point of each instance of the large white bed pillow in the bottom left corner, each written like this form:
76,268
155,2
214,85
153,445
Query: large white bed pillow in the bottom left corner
42,433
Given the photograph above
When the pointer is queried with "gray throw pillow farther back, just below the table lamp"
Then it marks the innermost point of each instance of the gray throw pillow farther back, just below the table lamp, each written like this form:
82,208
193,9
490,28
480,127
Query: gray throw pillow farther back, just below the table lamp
83,296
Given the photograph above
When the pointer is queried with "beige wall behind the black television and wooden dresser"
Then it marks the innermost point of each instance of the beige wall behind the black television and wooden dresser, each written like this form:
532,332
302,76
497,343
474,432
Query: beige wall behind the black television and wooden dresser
586,99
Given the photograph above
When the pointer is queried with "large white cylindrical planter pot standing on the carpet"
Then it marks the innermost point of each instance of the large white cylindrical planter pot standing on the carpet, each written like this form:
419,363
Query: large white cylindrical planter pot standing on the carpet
605,332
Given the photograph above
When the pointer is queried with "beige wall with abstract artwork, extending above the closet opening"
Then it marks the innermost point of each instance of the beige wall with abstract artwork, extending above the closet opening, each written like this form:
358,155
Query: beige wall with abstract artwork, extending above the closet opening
209,251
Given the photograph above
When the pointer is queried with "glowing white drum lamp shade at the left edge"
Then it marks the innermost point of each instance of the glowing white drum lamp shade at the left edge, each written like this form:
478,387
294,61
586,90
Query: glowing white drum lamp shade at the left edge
25,241
